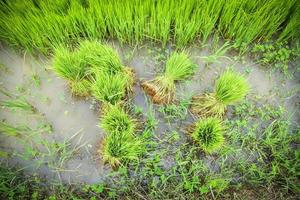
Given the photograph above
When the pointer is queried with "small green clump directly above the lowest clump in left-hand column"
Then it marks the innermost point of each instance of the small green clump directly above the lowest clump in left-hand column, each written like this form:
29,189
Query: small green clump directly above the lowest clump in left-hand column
115,119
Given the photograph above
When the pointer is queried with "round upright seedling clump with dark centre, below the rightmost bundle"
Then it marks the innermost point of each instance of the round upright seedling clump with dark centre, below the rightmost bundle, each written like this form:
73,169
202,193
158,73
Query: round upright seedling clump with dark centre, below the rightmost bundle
208,134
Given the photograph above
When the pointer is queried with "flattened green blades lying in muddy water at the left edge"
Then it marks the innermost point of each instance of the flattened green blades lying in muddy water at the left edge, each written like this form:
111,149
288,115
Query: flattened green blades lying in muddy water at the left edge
20,104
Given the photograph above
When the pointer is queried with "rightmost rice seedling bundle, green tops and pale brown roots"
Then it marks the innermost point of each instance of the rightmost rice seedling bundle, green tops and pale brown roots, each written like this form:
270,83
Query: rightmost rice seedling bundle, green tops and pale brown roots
230,88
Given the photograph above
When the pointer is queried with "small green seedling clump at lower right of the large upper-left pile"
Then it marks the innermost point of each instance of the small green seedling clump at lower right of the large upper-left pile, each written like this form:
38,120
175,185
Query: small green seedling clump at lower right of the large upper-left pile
109,89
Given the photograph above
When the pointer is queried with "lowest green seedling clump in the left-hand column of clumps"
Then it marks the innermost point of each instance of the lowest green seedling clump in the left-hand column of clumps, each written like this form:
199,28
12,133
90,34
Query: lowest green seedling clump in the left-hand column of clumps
118,147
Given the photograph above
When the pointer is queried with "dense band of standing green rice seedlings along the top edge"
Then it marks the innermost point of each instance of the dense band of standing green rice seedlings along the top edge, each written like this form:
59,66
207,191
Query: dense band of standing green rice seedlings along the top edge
43,24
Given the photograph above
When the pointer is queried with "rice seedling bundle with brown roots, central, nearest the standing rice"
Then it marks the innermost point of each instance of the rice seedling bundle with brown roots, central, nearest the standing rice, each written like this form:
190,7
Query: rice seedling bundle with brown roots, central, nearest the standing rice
162,88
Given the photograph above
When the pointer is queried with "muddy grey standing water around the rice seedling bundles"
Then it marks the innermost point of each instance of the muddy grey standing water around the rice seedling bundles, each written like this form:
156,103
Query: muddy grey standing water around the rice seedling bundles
75,121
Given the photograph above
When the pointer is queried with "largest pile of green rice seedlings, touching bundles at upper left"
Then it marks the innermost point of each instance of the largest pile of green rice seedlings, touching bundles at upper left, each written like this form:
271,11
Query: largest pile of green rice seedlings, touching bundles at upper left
90,68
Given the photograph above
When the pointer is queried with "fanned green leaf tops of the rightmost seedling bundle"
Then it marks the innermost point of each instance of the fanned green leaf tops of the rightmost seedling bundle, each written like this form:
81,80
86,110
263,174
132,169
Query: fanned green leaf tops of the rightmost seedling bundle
231,87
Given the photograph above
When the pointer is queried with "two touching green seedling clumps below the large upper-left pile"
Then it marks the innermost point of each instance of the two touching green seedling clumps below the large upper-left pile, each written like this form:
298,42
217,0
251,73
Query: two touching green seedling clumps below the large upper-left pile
120,144
